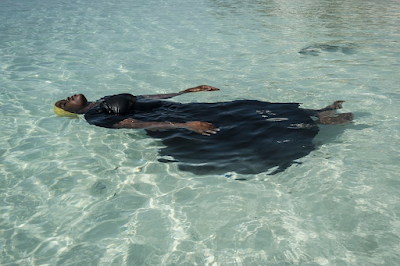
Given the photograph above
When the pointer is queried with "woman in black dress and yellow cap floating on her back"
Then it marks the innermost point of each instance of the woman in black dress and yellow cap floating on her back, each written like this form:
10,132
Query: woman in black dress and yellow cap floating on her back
243,136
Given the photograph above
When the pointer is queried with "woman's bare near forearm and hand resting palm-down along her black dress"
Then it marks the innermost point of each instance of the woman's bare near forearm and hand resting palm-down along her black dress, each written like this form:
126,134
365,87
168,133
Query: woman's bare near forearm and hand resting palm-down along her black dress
199,127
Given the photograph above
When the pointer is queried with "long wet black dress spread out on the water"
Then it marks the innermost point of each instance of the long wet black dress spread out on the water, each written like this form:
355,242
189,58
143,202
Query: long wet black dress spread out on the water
254,136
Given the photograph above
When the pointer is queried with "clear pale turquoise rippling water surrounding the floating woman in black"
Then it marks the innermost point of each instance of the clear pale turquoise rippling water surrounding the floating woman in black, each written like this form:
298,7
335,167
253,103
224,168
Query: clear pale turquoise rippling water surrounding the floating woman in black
74,194
